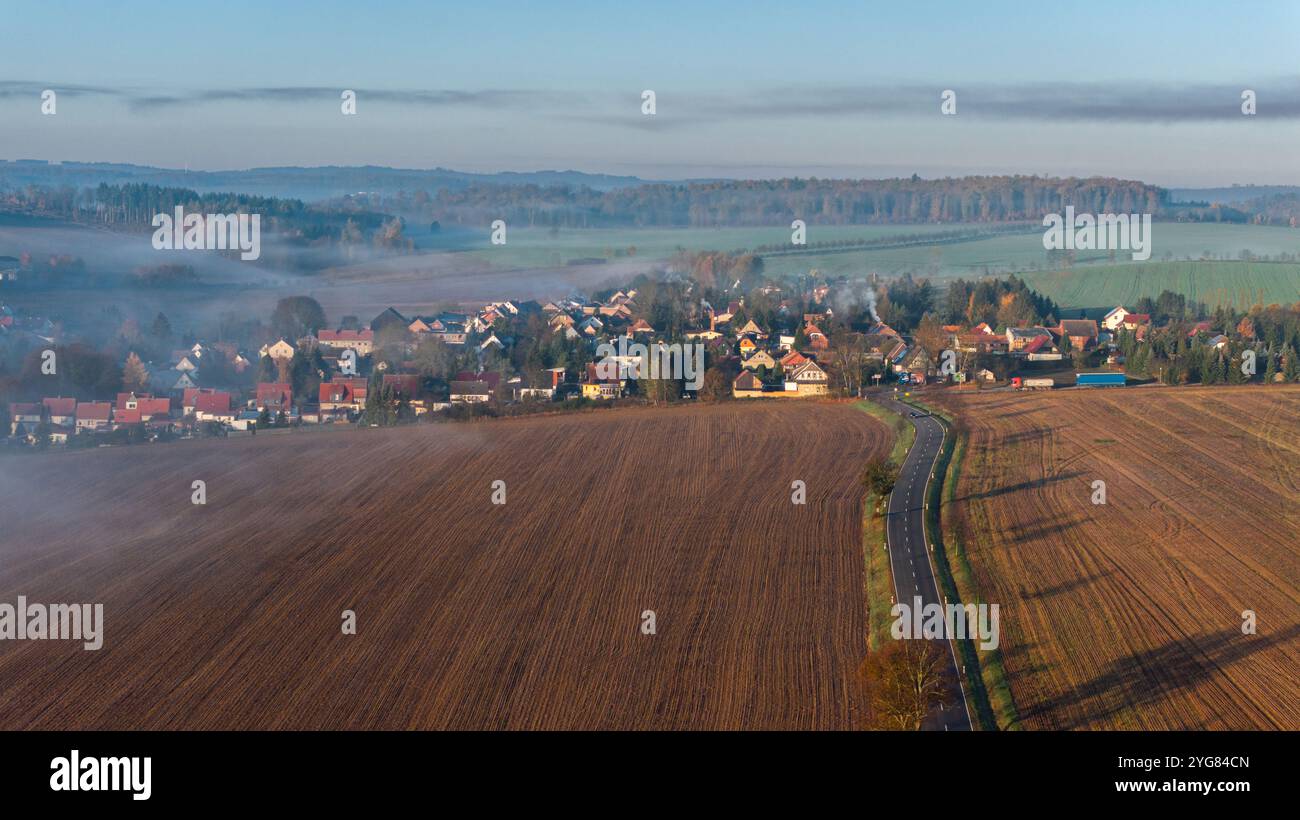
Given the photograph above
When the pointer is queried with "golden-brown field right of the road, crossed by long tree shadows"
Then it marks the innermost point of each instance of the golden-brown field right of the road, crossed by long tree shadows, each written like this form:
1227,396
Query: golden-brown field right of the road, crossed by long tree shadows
1129,615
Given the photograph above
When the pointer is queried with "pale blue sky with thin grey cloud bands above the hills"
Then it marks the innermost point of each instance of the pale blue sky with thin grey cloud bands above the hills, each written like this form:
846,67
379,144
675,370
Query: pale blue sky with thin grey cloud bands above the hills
744,89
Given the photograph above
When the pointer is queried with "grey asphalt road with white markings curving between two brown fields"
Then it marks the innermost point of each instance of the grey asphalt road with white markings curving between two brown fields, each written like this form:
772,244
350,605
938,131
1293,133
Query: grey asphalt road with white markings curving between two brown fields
909,556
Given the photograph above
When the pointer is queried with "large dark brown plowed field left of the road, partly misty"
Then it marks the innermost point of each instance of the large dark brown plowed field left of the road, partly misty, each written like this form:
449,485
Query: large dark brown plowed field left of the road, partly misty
470,615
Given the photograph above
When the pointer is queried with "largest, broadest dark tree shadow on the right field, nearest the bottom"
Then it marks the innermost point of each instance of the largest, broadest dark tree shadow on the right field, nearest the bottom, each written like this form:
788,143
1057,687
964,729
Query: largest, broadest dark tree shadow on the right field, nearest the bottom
1151,676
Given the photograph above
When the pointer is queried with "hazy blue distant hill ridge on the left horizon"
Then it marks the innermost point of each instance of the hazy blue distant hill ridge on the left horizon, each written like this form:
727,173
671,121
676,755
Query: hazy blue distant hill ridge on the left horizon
305,184
